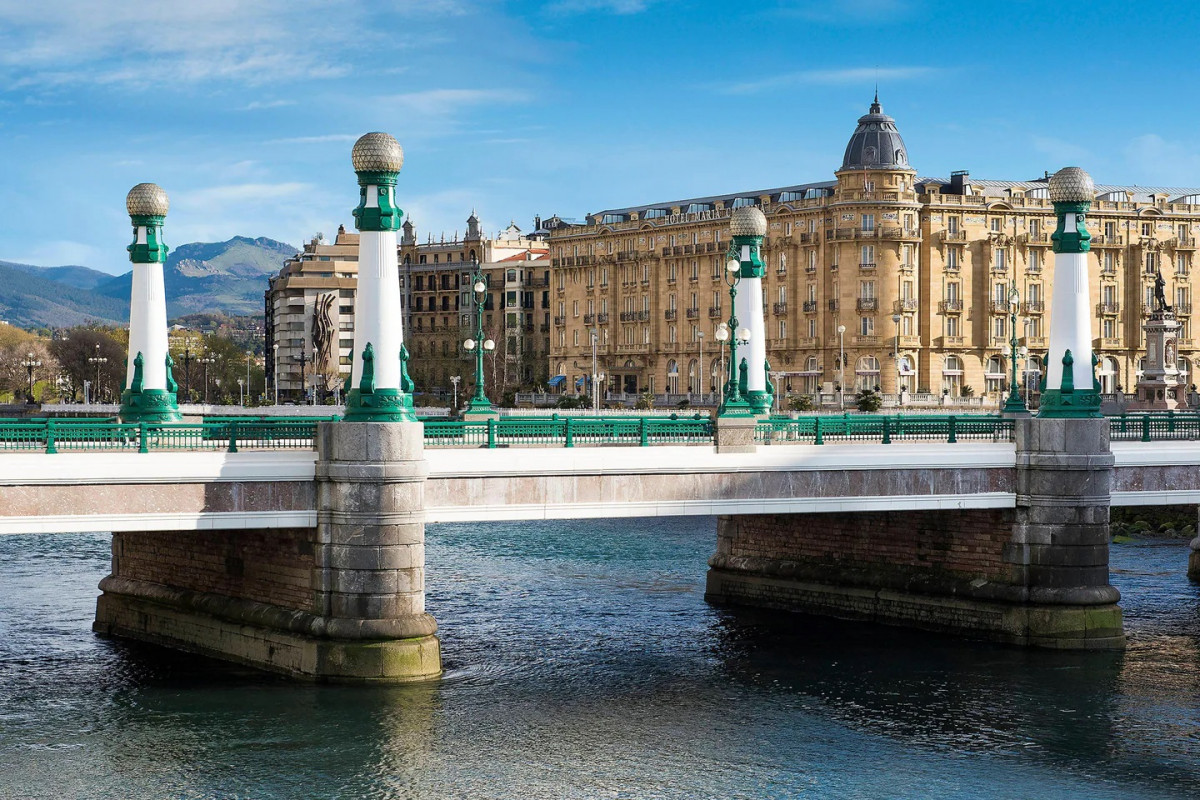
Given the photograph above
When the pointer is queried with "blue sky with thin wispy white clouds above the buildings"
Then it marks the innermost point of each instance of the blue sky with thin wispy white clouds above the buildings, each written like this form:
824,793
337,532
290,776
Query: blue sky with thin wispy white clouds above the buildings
247,112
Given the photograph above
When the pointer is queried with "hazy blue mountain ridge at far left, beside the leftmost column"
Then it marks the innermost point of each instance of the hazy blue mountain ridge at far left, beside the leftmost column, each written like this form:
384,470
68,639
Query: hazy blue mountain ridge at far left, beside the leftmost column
34,297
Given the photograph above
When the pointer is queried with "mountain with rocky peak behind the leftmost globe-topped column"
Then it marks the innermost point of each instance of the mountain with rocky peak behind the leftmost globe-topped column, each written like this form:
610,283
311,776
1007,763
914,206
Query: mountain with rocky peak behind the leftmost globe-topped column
221,278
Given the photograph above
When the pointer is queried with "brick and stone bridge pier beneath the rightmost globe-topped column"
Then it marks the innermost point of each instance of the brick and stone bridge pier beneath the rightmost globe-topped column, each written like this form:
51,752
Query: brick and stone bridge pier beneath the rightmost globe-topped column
1036,575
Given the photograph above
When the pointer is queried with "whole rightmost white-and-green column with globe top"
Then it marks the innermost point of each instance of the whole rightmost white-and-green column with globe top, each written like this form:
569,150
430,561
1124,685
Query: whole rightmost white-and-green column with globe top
1071,389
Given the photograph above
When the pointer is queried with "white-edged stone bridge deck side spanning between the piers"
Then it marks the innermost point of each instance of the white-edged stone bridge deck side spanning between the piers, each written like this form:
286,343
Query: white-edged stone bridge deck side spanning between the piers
166,491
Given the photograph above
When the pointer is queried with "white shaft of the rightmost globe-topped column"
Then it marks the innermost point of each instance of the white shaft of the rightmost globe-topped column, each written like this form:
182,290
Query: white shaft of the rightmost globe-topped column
1071,324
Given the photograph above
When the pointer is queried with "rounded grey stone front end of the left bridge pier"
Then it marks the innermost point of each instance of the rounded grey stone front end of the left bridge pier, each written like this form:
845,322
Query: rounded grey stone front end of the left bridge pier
370,569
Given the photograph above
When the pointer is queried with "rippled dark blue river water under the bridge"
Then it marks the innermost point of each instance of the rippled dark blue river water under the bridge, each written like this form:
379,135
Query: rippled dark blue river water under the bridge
583,663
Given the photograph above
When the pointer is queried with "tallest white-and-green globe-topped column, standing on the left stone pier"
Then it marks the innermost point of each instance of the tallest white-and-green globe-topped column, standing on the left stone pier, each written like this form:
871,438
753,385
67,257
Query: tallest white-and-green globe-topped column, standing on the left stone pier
379,389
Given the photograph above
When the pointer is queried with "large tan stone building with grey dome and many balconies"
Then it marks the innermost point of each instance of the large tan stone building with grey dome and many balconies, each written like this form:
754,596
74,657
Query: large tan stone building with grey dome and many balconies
922,266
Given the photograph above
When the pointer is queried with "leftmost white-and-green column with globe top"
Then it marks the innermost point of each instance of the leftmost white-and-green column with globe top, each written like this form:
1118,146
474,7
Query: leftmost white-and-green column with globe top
151,387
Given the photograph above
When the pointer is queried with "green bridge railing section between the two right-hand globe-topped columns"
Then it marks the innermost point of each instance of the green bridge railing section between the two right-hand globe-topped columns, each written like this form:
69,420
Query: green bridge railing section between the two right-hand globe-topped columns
819,430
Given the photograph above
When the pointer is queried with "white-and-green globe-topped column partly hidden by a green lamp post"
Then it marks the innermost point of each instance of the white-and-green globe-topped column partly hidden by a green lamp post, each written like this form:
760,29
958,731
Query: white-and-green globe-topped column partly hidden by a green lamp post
748,226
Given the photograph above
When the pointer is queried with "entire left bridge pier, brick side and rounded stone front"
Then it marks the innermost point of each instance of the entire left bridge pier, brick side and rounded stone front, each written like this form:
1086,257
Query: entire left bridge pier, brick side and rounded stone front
343,601
